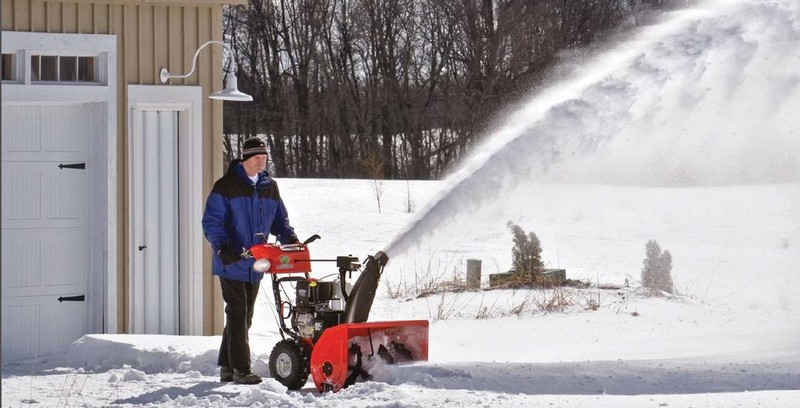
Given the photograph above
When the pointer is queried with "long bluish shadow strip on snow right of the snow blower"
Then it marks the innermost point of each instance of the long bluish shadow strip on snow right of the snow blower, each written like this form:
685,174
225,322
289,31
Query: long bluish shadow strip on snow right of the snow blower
603,377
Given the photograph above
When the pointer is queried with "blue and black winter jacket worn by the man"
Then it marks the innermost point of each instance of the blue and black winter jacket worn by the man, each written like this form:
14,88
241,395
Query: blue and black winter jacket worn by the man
237,210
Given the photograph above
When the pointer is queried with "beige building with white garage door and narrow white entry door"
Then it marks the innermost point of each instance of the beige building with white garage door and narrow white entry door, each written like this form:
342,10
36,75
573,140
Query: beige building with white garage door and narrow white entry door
105,169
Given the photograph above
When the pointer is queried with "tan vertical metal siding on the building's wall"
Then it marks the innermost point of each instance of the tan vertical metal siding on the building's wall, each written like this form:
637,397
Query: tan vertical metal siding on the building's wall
150,35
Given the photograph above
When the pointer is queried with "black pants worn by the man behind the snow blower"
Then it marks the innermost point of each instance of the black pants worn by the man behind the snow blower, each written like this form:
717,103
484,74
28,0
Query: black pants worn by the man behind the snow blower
240,300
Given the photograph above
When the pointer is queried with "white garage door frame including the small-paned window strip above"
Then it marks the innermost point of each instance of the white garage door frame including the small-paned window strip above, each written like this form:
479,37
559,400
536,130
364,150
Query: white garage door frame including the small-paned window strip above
101,153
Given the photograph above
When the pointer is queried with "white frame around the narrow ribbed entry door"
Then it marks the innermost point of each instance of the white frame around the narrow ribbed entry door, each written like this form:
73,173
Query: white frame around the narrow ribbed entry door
188,101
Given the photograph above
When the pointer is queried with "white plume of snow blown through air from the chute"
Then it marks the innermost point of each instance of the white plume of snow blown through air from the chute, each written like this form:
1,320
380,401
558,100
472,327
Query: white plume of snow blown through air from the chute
709,97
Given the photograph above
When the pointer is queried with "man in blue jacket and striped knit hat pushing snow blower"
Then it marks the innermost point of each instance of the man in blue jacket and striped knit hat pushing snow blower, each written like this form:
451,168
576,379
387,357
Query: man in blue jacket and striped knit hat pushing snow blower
243,204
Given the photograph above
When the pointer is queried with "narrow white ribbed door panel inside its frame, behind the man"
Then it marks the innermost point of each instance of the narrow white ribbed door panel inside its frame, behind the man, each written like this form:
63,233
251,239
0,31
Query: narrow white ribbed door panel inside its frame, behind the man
154,219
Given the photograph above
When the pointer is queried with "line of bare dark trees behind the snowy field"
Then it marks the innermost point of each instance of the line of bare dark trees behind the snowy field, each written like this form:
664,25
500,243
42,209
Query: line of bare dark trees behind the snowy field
395,89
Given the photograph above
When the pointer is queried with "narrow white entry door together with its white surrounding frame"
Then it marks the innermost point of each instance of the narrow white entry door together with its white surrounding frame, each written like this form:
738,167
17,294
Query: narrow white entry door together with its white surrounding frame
165,207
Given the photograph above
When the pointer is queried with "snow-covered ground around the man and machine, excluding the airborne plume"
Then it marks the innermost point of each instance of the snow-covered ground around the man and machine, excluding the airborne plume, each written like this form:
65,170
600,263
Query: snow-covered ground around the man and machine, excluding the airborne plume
734,340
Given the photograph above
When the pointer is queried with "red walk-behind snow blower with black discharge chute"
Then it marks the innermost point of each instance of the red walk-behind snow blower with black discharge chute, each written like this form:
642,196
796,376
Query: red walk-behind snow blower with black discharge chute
325,331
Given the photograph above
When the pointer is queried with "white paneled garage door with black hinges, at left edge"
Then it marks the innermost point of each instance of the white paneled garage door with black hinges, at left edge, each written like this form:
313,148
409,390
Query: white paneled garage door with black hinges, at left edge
44,227
